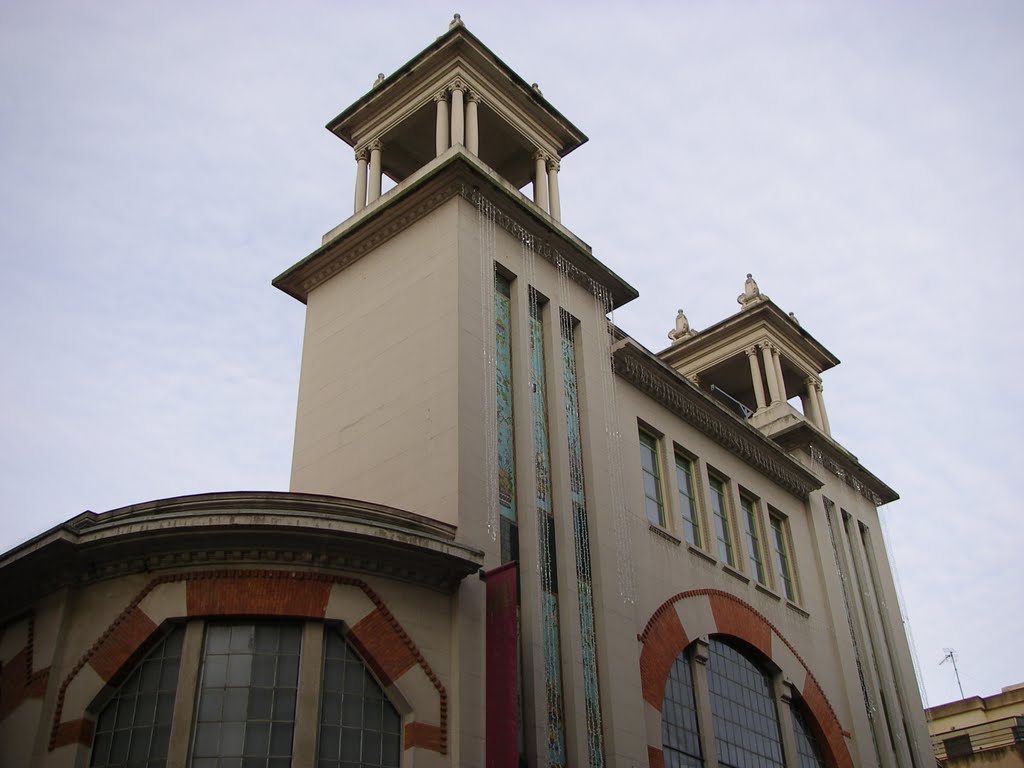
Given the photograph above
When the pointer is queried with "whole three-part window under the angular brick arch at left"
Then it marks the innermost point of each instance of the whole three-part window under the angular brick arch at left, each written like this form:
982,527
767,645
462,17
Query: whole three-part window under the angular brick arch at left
244,704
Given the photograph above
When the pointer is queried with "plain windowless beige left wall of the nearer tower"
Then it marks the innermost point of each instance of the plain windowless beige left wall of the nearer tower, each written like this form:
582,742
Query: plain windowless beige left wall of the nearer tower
378,391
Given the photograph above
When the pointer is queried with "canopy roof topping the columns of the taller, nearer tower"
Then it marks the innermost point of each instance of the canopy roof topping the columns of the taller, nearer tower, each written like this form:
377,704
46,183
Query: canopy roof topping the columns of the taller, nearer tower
516,120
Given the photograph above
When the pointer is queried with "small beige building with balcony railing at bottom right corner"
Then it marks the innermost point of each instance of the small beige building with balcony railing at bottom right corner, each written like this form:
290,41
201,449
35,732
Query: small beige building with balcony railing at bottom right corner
980,731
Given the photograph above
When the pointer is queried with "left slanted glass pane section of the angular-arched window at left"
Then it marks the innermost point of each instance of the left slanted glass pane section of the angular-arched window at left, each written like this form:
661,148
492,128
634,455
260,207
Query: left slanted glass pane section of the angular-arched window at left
135,728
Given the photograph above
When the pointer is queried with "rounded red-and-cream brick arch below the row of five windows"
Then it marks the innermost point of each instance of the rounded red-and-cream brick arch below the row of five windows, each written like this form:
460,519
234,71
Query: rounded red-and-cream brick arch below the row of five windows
664,638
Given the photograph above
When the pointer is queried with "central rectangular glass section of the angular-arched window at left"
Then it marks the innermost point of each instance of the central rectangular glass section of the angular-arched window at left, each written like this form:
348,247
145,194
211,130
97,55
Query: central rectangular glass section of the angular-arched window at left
248,685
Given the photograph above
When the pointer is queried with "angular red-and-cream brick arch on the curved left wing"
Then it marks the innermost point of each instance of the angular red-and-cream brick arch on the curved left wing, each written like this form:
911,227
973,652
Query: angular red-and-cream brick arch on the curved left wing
379,637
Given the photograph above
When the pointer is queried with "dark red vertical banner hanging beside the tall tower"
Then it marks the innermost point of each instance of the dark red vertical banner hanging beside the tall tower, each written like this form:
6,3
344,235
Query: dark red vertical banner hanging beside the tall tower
503,689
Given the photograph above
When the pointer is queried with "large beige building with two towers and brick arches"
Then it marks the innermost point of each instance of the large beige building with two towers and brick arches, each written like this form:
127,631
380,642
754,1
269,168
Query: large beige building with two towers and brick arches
703,576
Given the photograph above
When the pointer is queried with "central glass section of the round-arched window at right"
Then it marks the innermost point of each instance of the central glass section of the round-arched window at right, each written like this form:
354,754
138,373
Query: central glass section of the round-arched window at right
744,711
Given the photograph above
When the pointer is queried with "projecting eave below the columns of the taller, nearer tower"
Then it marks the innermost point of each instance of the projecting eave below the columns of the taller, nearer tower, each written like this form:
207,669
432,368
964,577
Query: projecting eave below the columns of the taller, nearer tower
457,173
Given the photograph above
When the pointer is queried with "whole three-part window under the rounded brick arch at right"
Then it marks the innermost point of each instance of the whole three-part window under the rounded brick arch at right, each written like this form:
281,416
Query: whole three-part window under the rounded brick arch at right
722,689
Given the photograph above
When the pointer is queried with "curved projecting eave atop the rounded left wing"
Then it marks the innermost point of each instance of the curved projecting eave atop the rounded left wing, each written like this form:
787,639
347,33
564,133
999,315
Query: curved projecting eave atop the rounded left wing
270,528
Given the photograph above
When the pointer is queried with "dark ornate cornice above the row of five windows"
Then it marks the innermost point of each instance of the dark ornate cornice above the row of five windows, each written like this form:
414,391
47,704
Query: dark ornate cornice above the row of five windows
668,389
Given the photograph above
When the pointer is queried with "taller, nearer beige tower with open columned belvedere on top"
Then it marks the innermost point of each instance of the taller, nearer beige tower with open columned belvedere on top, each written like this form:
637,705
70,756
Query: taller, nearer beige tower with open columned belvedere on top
452,325
